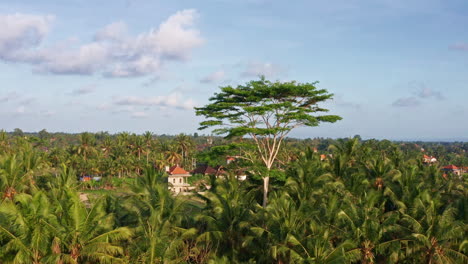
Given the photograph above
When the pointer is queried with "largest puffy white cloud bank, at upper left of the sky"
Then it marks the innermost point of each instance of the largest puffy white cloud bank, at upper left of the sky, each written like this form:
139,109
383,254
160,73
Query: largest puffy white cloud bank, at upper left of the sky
112,52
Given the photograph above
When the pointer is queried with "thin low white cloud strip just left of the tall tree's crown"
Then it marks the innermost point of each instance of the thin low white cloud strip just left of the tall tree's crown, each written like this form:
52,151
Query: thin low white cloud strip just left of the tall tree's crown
174,100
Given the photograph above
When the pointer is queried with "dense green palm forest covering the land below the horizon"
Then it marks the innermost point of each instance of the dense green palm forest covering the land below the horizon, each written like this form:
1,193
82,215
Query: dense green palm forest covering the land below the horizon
366,202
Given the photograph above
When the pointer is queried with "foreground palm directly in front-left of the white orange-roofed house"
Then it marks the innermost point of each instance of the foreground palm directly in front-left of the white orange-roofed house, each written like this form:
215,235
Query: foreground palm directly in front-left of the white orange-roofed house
159,215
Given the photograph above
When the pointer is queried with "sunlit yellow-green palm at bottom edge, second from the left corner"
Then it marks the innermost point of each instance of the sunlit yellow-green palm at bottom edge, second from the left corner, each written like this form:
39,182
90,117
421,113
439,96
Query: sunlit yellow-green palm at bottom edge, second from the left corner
86,234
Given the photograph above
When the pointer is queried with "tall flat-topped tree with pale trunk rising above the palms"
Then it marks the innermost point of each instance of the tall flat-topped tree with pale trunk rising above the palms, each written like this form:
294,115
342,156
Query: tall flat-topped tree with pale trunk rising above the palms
267,112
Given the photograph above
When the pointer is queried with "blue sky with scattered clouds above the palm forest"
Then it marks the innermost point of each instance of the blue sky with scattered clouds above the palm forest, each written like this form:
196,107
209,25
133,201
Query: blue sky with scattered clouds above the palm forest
398,69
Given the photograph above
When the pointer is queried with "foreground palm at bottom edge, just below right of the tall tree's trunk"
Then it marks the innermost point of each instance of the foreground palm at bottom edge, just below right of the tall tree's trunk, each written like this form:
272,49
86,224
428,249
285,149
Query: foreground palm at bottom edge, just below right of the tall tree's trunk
291,236
